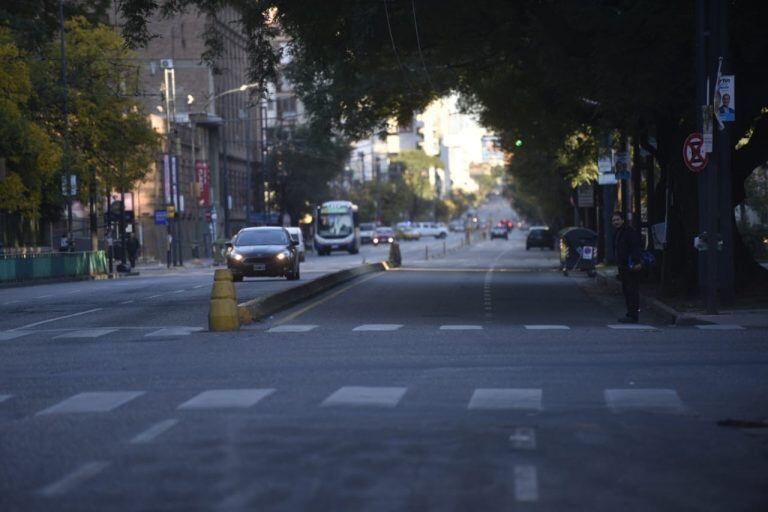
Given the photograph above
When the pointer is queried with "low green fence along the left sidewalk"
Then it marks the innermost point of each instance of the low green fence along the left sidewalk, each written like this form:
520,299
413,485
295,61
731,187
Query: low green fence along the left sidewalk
33,266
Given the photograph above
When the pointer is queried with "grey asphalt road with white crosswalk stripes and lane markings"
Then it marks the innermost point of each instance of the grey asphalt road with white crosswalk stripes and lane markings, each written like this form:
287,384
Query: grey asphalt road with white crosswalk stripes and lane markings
482,380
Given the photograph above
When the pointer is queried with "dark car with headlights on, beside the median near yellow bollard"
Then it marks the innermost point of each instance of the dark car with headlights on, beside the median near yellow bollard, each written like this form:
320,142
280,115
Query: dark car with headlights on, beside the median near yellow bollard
263,252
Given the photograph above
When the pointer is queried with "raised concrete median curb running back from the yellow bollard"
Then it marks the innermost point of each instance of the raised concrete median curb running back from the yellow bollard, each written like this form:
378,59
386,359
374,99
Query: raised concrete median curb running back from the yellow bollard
265,306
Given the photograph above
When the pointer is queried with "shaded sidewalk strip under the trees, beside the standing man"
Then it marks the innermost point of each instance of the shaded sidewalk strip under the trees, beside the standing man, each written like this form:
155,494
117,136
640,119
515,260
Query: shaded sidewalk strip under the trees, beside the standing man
728,317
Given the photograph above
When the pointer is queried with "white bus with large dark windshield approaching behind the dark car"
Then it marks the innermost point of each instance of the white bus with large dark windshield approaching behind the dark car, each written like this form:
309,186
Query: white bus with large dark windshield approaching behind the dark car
337,228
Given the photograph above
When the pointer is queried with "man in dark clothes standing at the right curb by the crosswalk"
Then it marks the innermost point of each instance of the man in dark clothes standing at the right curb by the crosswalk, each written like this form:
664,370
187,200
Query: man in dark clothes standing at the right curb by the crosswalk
626,247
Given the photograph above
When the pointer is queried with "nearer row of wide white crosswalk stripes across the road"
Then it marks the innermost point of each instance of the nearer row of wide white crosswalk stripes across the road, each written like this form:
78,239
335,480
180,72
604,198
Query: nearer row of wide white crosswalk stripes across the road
615,400
